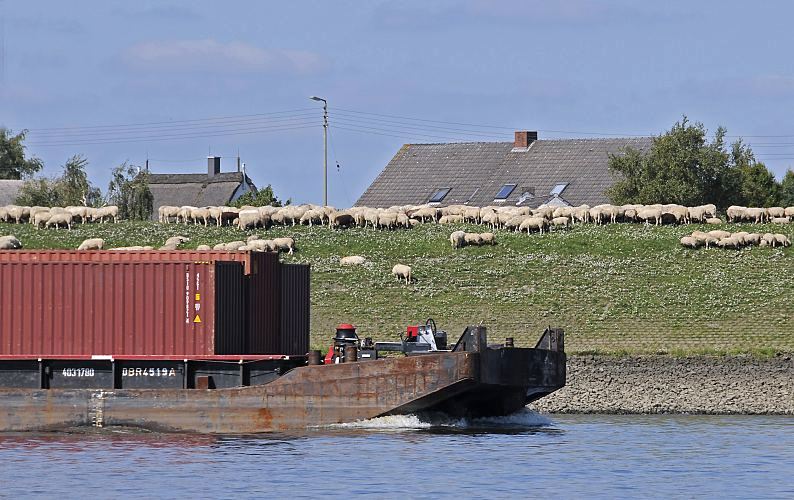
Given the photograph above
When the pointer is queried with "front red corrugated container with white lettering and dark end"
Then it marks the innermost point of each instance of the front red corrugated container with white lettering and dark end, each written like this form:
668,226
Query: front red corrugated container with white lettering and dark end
131,308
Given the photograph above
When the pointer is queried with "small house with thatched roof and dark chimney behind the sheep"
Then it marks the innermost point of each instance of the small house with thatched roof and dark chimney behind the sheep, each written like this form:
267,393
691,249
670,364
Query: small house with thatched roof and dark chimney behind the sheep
215,188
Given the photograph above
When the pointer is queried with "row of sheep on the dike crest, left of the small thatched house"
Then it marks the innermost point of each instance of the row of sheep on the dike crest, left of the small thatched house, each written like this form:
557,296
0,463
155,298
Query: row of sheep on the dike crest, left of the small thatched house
57,216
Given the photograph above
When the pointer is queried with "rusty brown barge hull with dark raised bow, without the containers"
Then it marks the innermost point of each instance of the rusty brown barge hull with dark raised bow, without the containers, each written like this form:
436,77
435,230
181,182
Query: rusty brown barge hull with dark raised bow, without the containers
483,383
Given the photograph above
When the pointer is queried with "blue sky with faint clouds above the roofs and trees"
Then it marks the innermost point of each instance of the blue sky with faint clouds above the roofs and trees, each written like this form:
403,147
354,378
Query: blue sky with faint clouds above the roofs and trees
176,81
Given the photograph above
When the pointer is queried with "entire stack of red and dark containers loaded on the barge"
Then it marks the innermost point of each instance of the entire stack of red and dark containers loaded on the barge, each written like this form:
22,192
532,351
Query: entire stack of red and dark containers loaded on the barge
106,303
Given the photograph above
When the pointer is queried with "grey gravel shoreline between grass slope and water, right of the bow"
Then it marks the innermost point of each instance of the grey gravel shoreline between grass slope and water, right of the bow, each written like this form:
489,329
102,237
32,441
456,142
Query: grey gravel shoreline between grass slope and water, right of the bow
664,384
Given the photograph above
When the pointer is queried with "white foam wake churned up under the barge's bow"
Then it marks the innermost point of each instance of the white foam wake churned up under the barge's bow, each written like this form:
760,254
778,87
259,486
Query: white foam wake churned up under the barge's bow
523,418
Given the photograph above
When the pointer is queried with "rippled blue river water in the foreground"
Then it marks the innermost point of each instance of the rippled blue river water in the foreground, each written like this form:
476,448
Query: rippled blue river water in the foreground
525,455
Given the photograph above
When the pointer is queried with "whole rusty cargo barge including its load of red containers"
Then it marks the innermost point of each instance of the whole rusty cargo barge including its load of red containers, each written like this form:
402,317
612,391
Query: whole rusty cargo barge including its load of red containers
130,353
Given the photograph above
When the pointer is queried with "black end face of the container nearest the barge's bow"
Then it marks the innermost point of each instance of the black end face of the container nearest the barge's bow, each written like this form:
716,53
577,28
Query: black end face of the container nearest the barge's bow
295,308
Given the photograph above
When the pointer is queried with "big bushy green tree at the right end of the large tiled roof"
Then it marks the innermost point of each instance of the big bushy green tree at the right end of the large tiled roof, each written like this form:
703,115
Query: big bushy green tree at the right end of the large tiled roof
682,167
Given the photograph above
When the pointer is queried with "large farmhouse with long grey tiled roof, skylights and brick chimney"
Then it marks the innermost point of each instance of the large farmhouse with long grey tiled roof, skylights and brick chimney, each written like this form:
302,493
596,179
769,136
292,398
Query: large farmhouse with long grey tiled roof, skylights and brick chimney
526,172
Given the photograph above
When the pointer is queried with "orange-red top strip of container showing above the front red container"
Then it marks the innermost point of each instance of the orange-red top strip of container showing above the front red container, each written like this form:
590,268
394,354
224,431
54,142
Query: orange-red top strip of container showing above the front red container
251,260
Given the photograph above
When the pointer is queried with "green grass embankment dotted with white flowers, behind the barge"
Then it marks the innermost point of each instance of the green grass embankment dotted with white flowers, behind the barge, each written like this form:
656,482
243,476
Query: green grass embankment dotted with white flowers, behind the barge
615,289
